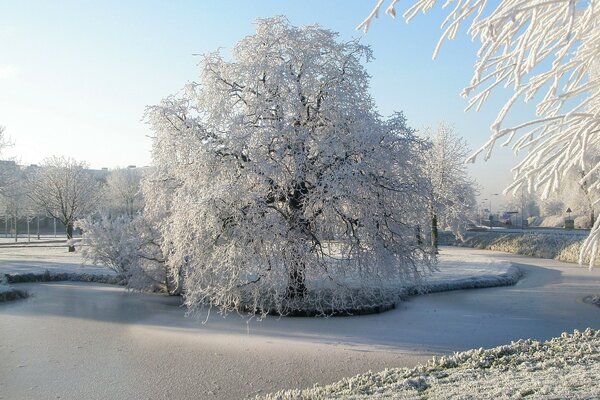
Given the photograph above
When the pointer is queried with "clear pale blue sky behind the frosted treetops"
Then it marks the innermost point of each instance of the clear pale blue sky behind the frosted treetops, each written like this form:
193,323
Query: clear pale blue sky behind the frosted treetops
75,76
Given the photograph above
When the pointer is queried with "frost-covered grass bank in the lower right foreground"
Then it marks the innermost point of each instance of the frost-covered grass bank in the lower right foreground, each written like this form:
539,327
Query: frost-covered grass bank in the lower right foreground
563,367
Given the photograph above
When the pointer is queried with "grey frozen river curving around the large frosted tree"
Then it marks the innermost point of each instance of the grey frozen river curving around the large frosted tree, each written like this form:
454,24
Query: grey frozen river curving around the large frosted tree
91,341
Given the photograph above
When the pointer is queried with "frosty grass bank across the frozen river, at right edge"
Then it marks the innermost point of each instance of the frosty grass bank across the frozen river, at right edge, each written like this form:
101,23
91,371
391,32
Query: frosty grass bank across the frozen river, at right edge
561,247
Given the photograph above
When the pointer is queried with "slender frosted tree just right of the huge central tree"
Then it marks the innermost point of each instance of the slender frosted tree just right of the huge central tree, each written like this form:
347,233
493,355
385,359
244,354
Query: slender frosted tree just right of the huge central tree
451,193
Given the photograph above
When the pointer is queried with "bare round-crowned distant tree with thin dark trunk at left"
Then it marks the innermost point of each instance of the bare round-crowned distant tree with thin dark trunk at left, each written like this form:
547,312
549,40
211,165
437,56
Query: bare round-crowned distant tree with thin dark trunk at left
65,190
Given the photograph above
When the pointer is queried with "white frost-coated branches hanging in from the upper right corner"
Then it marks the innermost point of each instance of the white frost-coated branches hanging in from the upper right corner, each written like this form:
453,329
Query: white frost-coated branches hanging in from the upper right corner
544,50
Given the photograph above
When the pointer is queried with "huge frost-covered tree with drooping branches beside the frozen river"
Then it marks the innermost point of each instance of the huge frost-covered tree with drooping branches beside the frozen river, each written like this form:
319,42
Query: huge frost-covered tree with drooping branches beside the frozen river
280,182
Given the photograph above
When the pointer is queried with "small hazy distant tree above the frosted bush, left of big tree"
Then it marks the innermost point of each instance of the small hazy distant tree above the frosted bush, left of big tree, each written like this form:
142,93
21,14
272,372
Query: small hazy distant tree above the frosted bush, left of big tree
123,191
